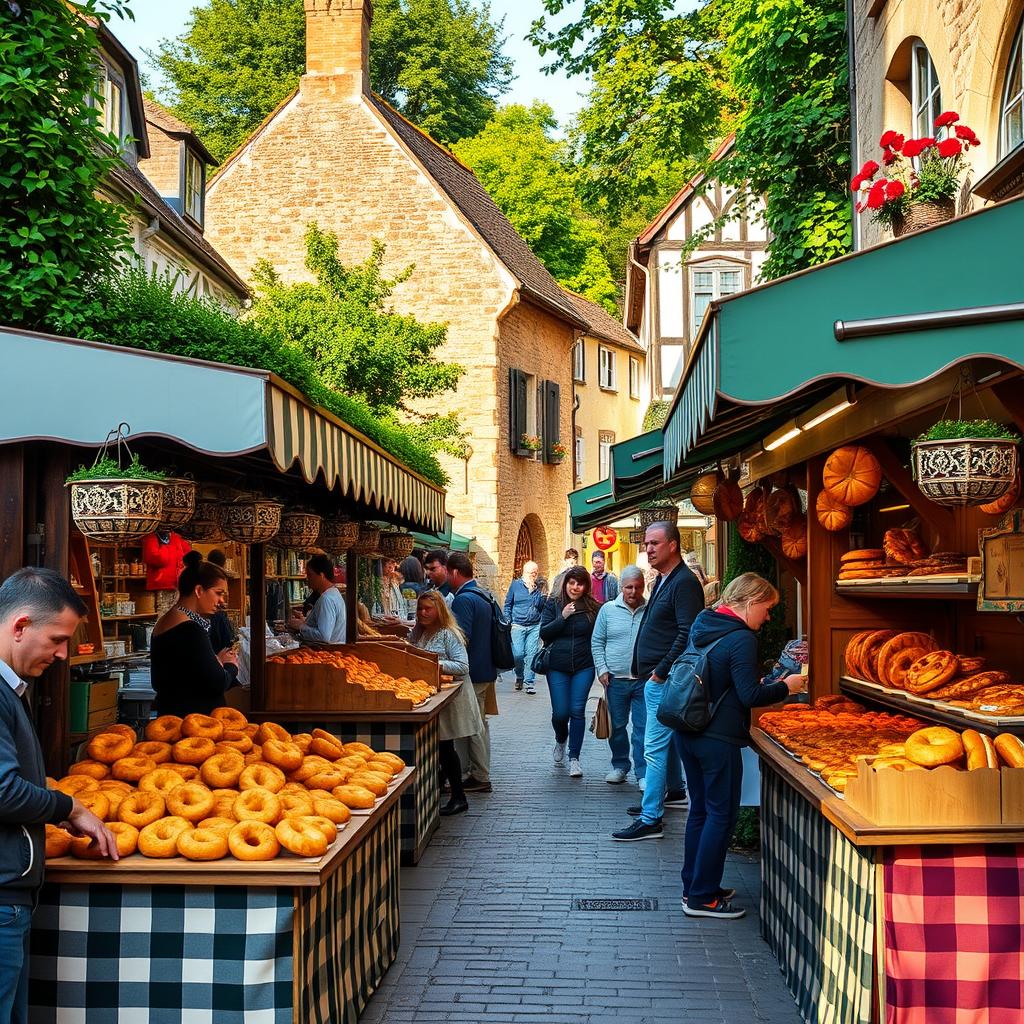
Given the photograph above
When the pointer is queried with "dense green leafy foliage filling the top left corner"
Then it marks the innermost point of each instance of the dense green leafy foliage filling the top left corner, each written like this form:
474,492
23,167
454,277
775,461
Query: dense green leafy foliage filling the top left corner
56,233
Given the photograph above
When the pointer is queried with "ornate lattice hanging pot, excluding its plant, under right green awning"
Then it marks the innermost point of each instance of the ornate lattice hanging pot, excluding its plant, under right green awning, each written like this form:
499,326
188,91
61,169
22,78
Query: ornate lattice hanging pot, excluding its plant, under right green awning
965,472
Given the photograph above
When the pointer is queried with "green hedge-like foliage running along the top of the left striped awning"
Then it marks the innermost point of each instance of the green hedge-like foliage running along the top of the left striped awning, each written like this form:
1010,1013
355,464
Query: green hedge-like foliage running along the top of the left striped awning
139,312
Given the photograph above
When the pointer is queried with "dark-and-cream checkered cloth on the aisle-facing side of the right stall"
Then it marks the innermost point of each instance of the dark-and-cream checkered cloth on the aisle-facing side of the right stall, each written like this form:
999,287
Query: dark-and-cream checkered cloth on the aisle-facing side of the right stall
817,907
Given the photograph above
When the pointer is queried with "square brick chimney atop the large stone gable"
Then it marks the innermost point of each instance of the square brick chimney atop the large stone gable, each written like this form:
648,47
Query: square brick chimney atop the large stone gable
338,47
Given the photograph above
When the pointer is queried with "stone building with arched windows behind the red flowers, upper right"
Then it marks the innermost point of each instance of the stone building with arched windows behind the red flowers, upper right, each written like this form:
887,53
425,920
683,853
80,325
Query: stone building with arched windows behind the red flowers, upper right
914,61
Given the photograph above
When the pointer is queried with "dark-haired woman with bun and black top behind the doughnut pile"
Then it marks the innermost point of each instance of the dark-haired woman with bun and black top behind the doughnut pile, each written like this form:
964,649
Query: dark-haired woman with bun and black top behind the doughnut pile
188,676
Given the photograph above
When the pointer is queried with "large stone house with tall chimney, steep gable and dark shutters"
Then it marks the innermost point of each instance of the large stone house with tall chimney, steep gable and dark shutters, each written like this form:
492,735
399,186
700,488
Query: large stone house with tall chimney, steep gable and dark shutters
336,155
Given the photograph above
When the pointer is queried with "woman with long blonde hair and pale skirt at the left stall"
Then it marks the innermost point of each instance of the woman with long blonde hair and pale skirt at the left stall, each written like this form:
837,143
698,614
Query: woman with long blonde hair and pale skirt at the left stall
438,632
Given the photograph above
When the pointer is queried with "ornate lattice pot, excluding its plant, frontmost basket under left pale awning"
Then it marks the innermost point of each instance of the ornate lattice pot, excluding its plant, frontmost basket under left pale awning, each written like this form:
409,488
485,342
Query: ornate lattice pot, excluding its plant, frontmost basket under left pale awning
116,509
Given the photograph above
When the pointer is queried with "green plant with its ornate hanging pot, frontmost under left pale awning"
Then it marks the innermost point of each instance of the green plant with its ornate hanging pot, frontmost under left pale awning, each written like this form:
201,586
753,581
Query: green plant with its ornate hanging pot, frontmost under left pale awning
115,503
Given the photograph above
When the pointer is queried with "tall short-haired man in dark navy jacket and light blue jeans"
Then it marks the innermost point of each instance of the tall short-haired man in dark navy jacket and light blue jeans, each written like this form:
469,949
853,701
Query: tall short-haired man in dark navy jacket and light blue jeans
675,602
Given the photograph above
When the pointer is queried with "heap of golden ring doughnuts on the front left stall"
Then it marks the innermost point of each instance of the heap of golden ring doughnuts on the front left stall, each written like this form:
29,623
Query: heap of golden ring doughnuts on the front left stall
208,787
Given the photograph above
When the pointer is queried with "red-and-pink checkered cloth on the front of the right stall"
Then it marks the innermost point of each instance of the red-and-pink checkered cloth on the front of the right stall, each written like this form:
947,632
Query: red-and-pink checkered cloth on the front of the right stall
955,934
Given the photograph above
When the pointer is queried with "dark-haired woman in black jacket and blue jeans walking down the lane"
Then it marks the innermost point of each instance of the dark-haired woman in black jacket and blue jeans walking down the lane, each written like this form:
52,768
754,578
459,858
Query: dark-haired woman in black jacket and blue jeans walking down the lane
567,625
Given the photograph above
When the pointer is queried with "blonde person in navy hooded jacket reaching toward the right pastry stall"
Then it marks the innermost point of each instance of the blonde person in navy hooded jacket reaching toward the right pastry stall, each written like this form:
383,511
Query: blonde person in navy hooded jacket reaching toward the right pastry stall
713,759
